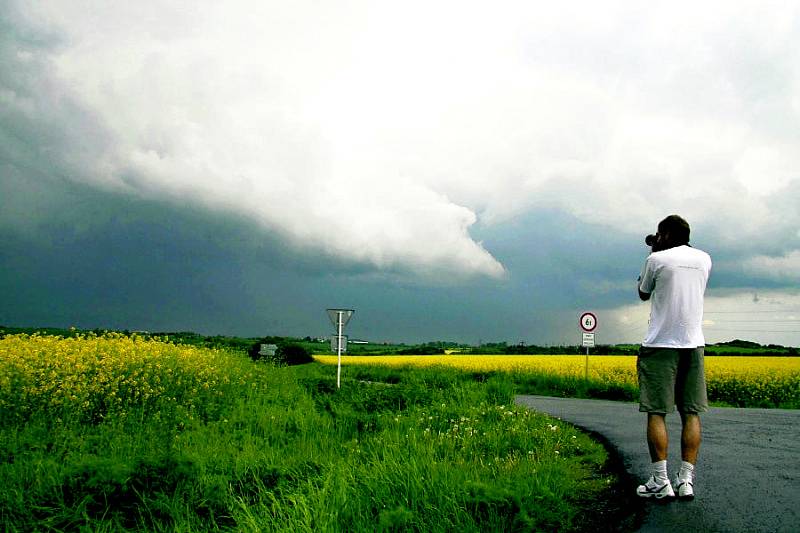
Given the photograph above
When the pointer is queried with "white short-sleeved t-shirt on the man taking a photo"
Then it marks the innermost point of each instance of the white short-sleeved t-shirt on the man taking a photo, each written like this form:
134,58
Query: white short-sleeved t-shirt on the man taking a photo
676,279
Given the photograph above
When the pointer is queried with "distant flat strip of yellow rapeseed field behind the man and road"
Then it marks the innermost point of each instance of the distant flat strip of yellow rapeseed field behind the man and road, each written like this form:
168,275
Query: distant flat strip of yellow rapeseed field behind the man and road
734,380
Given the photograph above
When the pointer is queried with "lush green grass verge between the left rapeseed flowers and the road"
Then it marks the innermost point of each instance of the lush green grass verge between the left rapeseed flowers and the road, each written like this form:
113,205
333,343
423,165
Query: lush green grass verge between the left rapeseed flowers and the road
392,450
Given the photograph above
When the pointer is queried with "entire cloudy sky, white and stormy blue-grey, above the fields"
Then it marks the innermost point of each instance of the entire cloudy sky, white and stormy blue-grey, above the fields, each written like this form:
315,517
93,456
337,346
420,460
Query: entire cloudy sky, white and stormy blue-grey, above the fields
490,164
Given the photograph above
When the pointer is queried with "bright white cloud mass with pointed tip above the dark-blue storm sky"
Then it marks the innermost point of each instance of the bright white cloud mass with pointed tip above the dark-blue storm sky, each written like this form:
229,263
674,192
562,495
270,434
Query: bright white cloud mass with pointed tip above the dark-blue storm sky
382,132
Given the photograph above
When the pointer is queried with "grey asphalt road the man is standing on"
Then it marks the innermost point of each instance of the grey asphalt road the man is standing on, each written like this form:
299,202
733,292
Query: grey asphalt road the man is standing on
747,474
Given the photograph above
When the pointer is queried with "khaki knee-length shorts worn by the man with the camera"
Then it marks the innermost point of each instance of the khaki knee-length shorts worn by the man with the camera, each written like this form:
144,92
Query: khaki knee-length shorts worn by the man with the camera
670,377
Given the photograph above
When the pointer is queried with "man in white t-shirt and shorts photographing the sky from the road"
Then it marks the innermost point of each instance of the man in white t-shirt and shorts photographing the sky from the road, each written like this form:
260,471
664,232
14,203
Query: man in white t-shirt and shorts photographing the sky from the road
670,362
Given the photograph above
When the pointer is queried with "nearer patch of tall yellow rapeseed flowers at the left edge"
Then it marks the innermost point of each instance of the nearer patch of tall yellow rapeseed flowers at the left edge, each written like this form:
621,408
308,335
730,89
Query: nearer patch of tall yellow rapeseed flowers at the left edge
93,377
